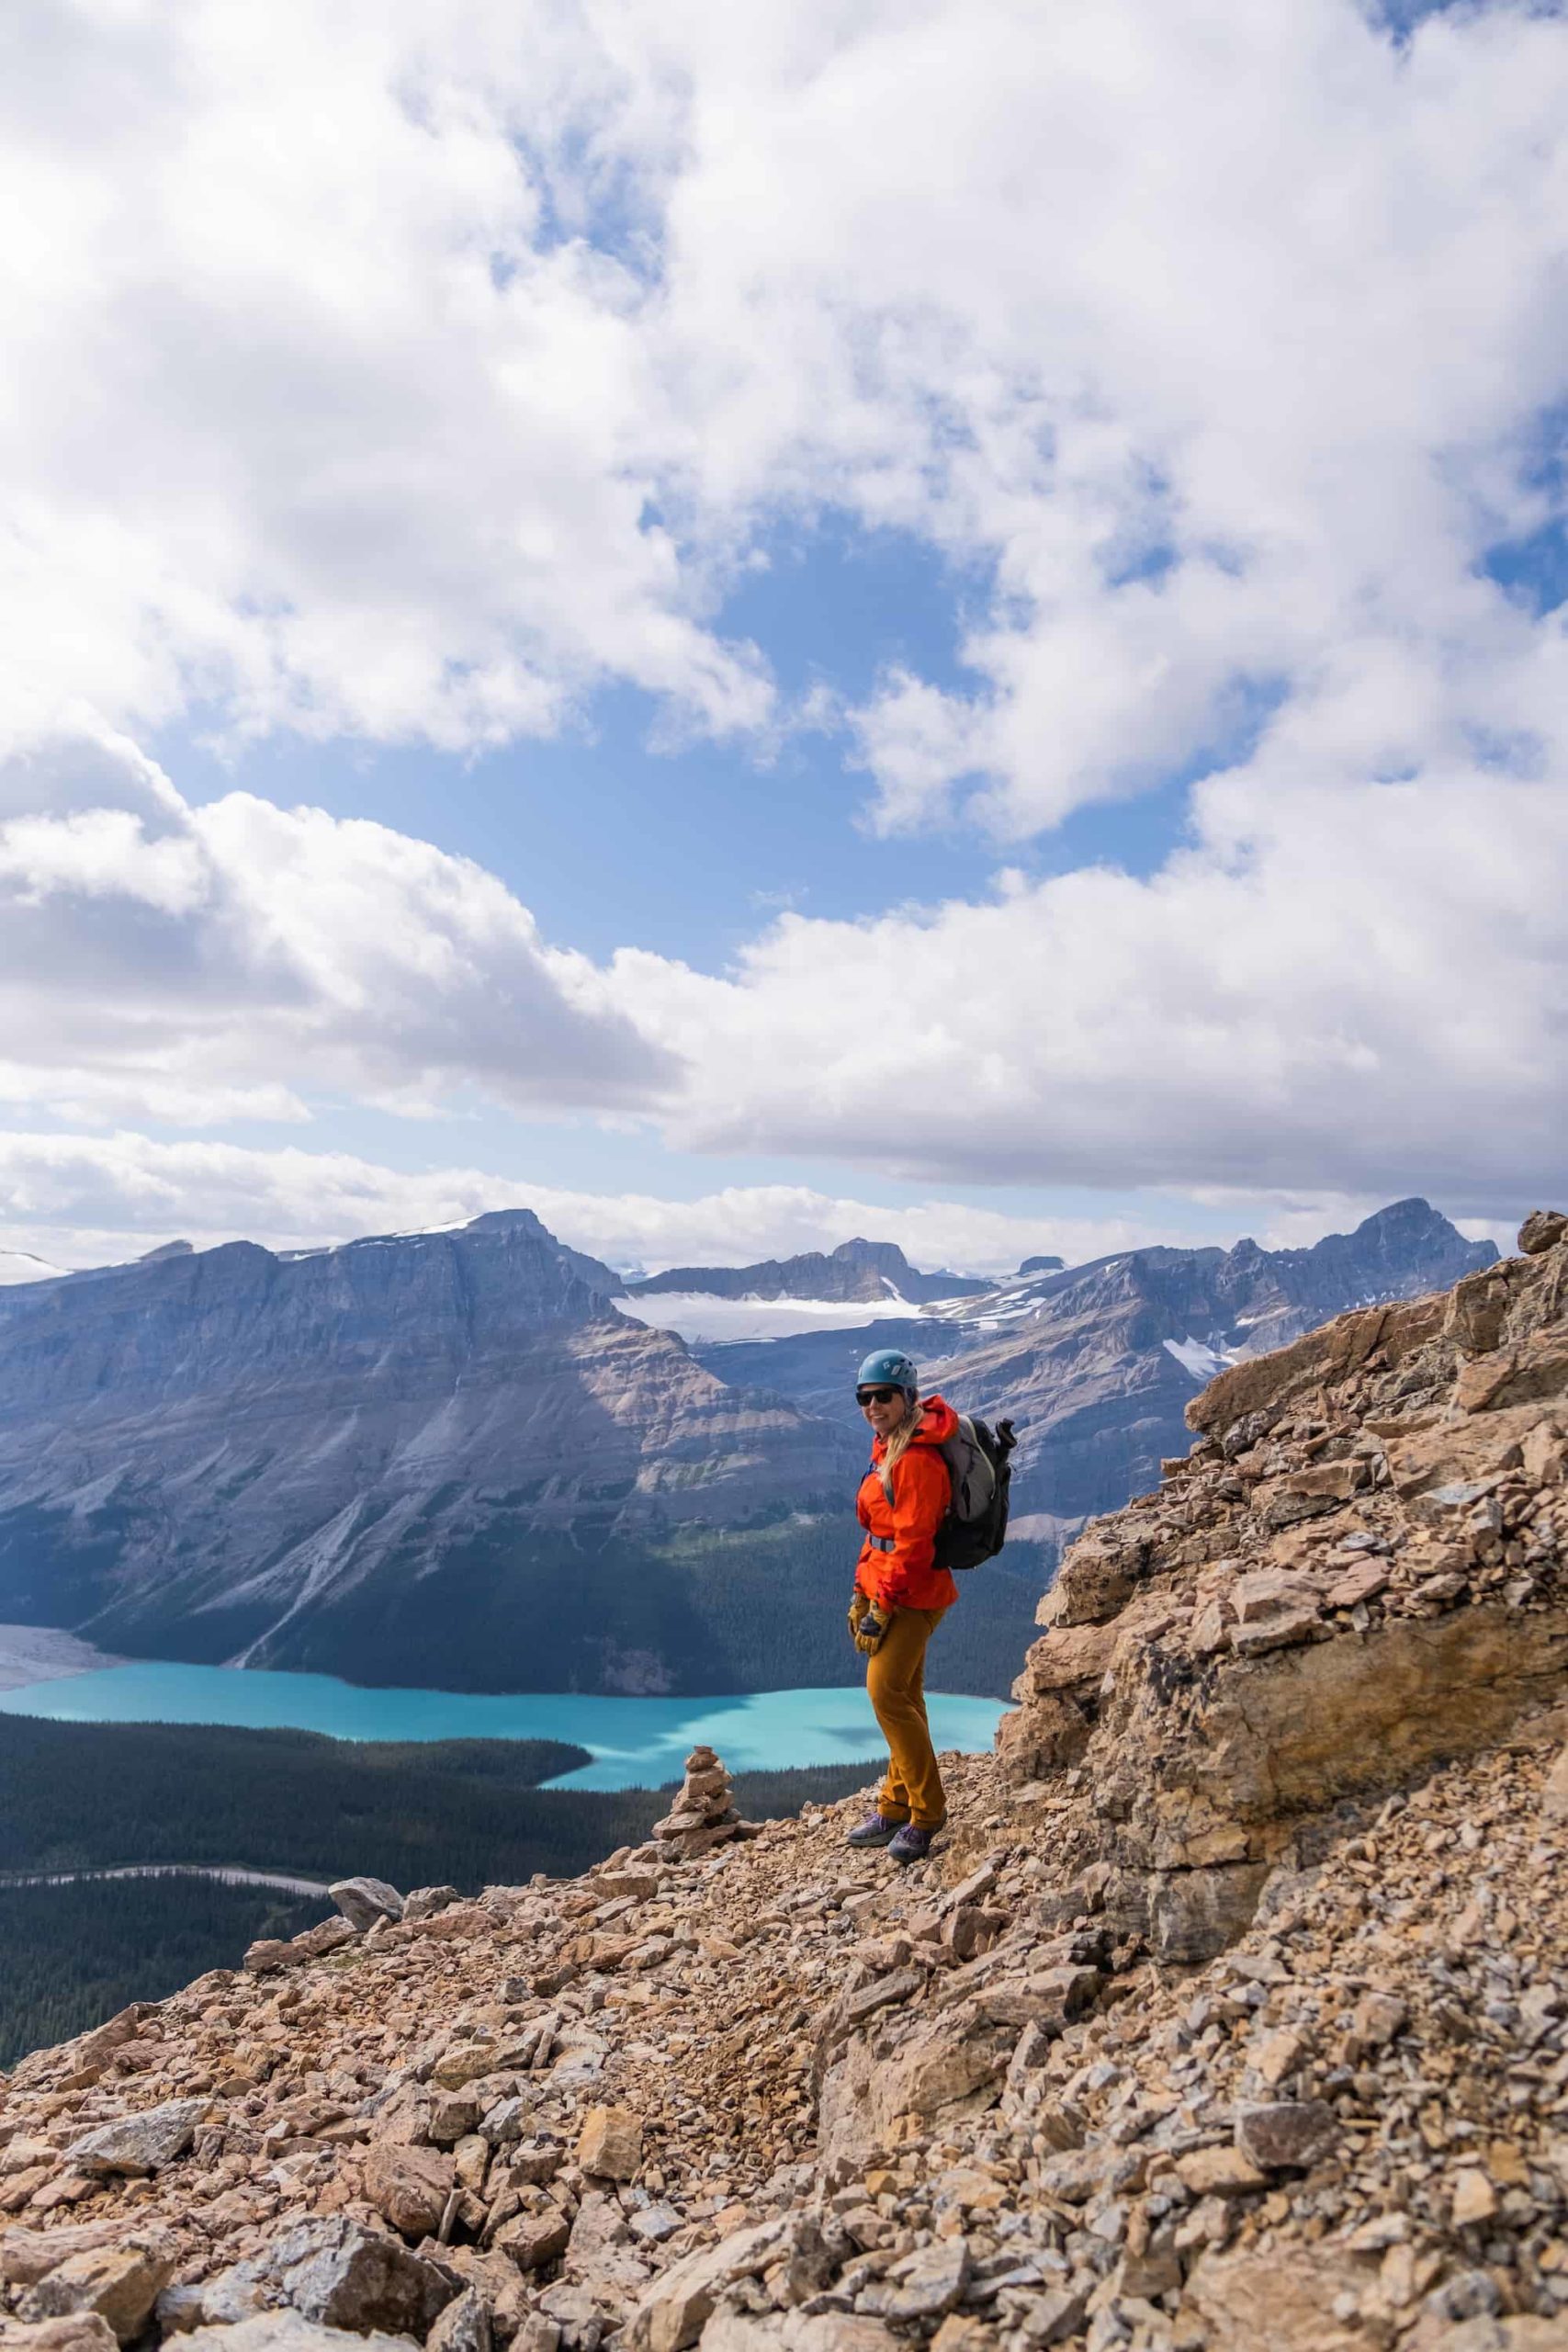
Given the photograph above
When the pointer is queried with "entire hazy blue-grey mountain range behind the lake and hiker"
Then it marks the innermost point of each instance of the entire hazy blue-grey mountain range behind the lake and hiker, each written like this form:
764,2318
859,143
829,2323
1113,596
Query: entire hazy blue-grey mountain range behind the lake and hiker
478,1459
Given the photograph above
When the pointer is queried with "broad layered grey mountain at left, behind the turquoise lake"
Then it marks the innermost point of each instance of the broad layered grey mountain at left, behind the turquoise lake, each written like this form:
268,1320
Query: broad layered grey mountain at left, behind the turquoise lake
311,1462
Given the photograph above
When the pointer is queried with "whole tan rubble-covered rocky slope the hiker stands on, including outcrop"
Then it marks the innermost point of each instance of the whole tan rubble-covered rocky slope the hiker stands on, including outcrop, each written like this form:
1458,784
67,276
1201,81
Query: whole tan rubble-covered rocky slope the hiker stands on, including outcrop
1231,2014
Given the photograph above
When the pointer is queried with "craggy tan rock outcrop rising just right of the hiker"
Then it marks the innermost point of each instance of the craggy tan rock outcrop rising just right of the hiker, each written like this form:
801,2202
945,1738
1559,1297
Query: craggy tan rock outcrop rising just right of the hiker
1358,1570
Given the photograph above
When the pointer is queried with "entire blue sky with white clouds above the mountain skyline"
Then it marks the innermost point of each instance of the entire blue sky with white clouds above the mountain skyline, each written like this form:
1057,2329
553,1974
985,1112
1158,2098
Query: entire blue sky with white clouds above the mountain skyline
949,622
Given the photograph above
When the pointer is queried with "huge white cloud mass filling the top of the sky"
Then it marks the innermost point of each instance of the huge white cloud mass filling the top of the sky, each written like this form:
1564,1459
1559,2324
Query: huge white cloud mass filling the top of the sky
410,370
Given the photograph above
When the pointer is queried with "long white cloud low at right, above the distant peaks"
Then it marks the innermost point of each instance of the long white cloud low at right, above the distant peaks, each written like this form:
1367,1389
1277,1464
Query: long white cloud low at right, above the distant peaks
1355,991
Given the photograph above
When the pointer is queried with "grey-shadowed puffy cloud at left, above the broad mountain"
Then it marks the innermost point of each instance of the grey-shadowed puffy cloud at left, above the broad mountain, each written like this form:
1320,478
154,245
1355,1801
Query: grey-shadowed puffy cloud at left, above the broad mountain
201,965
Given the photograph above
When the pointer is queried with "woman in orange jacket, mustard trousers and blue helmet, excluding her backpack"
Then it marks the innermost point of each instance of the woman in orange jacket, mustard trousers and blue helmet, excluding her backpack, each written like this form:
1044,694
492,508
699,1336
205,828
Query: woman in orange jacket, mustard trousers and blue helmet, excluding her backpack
902,1596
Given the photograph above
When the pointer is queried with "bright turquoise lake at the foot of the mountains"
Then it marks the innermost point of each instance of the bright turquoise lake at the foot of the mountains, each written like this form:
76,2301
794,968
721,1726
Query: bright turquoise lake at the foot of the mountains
634,1742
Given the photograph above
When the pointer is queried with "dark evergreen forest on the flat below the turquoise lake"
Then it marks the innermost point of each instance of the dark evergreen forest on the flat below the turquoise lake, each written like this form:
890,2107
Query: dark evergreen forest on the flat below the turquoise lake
105,1796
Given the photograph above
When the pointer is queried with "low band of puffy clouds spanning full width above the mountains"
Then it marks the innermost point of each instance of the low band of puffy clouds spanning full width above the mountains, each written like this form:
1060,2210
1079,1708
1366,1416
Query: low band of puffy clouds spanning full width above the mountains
1355,991
